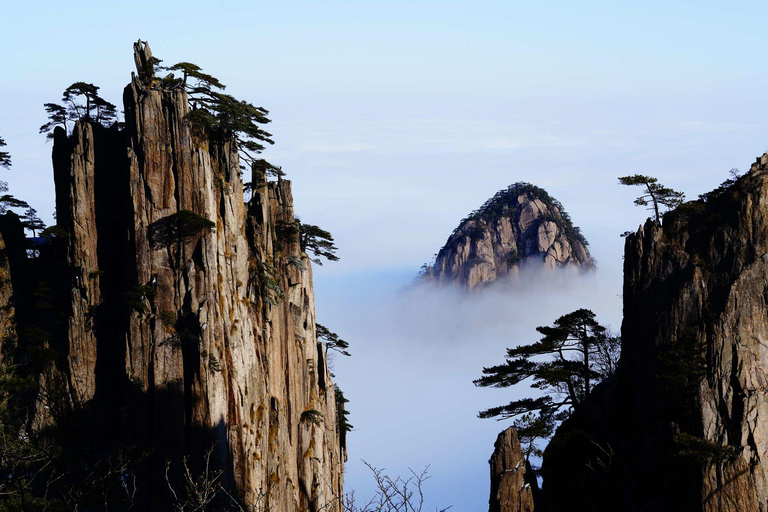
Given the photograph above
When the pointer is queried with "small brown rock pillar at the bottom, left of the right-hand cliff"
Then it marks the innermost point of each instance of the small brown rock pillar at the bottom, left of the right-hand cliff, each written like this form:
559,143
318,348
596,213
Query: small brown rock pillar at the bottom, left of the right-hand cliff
512,482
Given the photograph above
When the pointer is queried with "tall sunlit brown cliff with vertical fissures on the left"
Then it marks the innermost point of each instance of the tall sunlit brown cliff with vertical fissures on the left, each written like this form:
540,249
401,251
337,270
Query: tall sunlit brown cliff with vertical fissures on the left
209,341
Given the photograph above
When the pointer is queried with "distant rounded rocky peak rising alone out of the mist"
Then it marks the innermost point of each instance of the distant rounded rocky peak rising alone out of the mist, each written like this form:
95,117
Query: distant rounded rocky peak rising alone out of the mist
519,224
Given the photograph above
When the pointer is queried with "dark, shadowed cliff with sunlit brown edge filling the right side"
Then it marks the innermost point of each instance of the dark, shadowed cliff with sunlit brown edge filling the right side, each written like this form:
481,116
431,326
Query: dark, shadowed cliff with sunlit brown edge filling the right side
682,427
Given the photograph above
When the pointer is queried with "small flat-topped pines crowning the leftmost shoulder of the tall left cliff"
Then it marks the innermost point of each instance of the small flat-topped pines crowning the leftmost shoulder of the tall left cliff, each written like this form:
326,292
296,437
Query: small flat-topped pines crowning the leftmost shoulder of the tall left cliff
80,101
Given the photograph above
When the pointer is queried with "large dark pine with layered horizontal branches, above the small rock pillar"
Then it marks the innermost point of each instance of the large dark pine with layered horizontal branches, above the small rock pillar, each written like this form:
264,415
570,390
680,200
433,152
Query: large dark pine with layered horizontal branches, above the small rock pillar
573,355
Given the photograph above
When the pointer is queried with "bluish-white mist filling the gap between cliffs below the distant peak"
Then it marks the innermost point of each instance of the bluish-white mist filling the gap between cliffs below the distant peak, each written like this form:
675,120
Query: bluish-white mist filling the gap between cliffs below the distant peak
416,350
